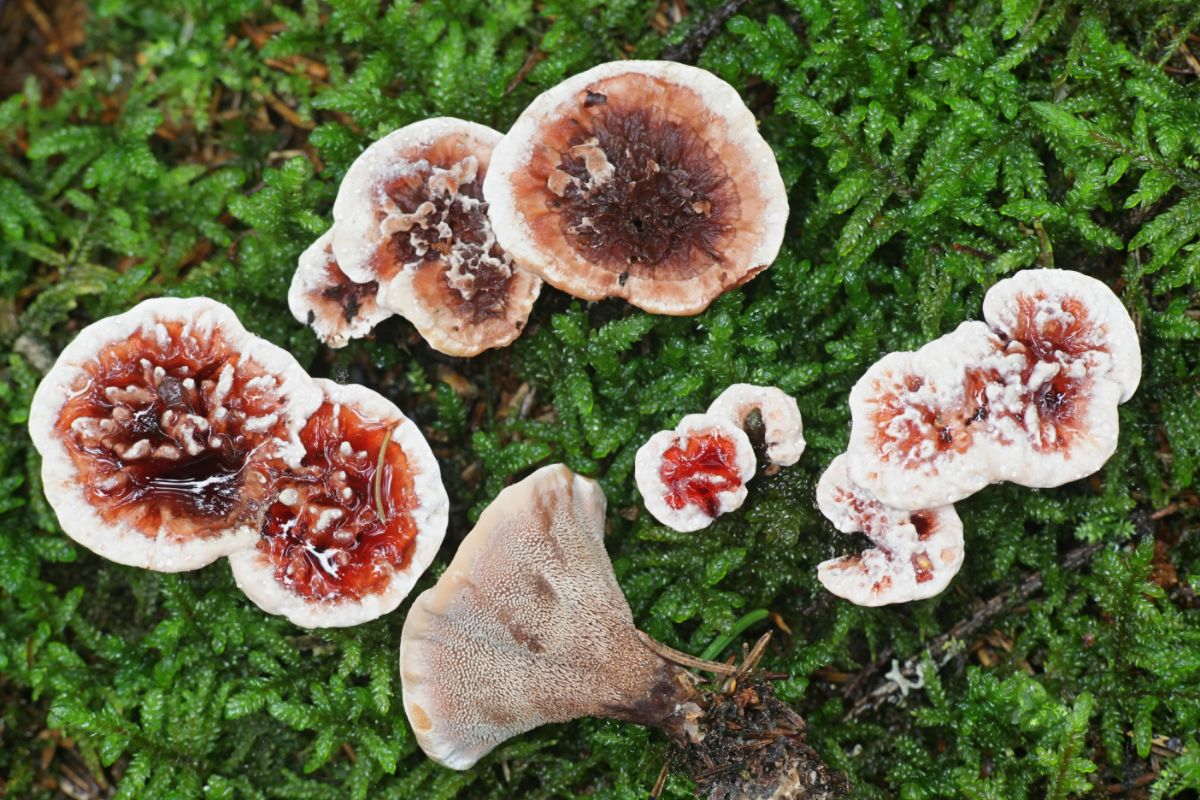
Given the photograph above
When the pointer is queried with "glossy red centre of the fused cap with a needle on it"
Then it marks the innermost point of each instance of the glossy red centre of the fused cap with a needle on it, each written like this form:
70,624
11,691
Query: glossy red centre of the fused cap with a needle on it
341,526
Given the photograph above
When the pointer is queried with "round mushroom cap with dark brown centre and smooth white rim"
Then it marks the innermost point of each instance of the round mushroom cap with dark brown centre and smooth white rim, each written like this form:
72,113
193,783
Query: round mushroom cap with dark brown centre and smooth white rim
645,181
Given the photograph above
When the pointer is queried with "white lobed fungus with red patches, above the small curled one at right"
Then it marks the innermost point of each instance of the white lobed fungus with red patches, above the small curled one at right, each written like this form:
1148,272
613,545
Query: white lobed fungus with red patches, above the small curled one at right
1030,396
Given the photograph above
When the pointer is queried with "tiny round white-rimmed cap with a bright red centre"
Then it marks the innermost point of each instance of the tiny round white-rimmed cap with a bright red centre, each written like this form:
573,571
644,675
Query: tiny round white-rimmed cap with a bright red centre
694,474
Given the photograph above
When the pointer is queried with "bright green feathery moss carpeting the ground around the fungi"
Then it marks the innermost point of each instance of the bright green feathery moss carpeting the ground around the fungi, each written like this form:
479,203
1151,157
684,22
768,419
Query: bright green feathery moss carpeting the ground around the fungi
929,149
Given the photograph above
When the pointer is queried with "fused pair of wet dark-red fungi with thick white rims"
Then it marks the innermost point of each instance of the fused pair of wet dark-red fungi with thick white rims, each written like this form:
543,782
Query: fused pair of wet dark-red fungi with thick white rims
171,437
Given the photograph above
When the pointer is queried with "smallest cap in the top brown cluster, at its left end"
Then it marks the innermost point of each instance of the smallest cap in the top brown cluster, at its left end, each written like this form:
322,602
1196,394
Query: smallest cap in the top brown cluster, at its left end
338,310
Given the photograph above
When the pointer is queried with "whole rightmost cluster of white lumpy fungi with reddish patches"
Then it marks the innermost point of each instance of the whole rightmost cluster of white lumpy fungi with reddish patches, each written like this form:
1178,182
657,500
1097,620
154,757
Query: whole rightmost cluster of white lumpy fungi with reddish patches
1029,396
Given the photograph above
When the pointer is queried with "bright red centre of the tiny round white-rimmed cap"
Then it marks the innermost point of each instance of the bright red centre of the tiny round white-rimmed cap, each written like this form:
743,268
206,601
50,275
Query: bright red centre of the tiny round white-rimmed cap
699,470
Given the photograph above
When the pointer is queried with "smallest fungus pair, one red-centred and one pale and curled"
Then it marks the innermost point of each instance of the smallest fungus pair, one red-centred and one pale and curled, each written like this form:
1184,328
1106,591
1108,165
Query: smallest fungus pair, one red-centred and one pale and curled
699,472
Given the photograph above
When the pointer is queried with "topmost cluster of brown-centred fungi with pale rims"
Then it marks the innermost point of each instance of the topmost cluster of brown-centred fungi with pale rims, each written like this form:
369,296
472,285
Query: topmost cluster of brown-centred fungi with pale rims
644,181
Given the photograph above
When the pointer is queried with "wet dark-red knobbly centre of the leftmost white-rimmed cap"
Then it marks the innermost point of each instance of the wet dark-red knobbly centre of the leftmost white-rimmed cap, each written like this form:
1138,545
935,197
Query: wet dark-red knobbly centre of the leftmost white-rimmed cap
169,430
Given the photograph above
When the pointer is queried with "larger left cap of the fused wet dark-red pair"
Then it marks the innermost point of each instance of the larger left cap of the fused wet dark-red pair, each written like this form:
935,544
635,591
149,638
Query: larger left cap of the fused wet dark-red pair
155,425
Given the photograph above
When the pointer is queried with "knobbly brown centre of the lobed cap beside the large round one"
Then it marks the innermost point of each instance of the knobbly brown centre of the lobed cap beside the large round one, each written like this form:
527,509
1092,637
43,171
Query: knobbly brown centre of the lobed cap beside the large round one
434,218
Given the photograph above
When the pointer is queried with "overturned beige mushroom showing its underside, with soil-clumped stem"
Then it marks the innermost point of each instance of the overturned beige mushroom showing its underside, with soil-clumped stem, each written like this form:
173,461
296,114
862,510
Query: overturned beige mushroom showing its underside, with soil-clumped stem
529,627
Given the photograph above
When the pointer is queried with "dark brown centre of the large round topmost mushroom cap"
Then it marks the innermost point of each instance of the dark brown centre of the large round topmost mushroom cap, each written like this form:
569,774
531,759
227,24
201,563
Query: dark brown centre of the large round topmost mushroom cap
641,193
